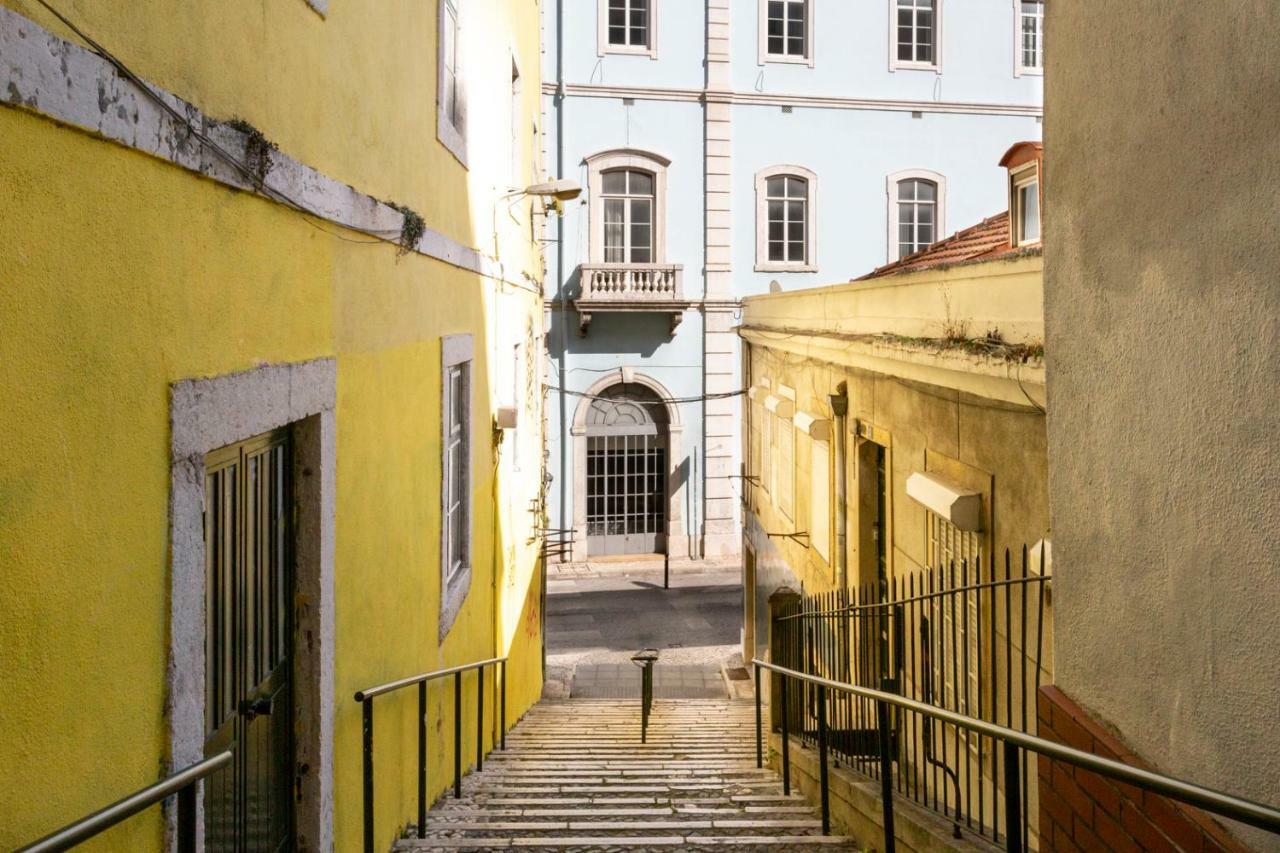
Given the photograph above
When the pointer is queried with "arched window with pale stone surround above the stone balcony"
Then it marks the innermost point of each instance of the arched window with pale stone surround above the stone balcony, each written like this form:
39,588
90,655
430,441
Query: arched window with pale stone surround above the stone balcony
628,203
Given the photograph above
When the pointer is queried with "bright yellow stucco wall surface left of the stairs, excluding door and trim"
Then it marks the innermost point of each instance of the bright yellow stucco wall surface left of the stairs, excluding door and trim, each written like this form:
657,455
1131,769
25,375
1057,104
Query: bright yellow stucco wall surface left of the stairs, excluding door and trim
122,273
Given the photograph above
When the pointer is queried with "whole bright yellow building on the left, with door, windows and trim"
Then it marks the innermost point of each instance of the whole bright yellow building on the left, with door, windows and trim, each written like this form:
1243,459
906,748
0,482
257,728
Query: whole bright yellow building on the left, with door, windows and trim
257,419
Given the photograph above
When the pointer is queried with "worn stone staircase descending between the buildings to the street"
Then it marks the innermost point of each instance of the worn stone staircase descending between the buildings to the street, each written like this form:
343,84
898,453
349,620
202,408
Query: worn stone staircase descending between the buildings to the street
575,777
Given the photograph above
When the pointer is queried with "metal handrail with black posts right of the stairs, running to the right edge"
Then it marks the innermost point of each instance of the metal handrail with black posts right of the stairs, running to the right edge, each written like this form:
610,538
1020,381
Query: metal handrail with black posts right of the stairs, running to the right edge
1014,749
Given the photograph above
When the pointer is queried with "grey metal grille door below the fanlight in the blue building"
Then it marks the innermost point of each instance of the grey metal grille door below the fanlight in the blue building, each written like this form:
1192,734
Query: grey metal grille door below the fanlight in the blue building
627,490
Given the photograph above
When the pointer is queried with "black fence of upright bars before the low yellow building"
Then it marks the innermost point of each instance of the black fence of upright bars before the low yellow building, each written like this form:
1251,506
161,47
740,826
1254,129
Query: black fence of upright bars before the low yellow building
966,638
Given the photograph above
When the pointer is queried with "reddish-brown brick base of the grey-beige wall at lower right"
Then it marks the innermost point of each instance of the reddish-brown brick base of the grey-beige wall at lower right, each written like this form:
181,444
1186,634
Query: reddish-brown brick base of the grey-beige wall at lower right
1084,811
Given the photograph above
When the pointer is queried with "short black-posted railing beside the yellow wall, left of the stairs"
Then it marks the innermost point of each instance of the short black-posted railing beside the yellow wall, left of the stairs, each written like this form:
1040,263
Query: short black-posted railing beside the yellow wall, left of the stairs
367,701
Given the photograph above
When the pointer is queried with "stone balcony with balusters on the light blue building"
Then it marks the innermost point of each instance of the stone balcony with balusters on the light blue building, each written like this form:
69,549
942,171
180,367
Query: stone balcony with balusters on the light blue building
620,289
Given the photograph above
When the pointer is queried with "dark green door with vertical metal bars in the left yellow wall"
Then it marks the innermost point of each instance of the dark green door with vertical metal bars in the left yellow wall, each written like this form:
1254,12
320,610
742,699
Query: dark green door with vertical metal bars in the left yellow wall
250,645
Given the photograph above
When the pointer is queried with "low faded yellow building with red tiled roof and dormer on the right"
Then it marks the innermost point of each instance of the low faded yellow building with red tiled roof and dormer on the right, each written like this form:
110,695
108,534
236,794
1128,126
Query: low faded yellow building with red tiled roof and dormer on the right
897,450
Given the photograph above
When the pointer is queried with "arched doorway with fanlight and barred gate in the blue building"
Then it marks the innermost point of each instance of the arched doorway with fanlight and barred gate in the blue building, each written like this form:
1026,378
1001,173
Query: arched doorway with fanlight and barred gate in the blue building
627,472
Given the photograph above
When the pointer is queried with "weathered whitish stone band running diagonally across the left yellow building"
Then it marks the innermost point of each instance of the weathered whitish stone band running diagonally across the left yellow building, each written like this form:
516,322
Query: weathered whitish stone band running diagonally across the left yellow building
56,79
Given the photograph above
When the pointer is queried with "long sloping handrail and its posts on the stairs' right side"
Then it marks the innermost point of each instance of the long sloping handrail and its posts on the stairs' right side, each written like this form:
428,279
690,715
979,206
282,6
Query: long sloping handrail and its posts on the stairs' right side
1222,804
